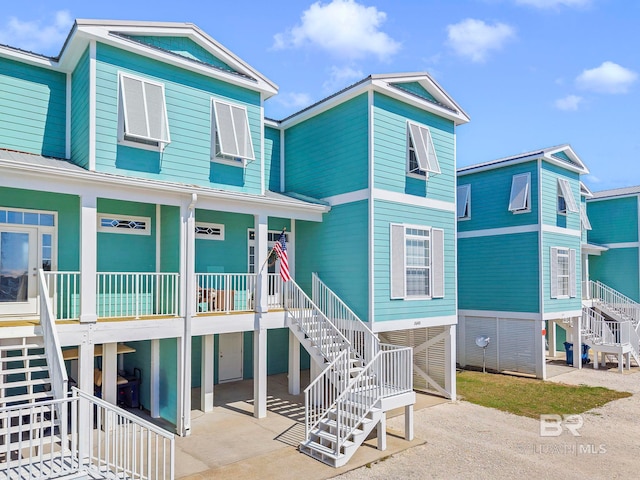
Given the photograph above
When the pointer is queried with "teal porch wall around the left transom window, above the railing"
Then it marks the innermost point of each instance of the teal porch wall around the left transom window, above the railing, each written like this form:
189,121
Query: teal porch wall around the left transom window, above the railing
120,252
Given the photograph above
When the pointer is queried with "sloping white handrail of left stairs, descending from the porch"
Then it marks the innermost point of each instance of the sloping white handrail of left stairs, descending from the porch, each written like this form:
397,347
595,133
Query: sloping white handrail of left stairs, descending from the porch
52,350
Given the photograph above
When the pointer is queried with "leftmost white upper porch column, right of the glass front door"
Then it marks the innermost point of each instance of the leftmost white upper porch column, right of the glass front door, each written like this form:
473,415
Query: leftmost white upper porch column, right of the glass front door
88,257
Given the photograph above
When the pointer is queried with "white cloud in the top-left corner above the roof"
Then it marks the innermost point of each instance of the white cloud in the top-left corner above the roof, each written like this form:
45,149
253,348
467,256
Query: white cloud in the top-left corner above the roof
35,35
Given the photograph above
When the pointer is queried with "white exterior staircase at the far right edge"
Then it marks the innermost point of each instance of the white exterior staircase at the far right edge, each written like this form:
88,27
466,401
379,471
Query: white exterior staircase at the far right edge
611,324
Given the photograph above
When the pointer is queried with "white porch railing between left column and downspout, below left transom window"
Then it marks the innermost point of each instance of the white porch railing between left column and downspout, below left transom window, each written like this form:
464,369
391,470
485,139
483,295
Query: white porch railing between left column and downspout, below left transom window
135,294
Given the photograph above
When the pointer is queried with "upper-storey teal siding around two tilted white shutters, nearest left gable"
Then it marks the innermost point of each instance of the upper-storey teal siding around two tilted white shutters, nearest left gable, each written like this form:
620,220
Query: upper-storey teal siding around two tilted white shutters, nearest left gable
188,97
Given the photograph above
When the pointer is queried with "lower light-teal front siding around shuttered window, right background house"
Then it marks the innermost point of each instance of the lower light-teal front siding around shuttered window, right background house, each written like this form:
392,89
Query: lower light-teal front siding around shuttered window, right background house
560,304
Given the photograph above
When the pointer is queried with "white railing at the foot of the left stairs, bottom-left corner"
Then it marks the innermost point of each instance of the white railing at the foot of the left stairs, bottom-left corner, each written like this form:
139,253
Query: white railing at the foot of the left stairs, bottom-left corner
44,441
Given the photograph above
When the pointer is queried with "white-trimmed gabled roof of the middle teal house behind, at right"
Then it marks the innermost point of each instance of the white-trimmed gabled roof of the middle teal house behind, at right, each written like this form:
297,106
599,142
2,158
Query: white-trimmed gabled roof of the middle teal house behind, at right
561,155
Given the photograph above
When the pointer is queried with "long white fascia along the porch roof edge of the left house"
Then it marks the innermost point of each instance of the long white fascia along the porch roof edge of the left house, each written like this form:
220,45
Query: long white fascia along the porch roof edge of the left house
106,185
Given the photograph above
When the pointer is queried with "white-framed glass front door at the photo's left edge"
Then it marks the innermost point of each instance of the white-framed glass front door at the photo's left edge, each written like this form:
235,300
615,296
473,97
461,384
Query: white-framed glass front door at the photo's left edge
18,270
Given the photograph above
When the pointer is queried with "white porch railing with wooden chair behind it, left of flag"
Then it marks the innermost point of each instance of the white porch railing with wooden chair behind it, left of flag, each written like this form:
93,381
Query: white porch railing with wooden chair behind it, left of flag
225,292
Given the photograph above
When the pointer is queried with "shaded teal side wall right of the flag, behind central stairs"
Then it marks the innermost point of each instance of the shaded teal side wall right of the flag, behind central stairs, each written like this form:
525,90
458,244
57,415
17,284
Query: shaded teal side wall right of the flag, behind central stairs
337,250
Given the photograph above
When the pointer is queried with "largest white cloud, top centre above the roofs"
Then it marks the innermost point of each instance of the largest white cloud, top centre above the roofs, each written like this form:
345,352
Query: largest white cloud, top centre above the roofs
343,28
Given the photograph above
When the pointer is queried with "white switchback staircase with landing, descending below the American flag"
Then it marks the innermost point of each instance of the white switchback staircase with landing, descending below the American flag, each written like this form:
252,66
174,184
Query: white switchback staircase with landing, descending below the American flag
360,381
